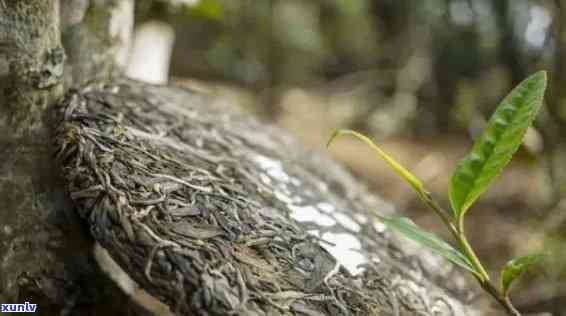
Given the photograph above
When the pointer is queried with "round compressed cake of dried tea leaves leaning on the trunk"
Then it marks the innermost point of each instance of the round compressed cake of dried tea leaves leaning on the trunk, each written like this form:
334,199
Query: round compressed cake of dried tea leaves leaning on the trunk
199,204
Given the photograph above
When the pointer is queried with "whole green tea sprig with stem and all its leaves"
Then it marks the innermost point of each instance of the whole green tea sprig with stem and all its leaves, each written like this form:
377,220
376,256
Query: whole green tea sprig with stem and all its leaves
473,176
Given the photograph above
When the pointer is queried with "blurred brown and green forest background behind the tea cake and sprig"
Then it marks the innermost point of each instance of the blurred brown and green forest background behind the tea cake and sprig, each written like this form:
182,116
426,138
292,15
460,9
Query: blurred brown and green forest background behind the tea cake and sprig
419,77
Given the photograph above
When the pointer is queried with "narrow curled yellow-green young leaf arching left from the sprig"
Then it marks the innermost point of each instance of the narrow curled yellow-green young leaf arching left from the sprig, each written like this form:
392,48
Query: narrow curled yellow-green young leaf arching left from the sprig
415,183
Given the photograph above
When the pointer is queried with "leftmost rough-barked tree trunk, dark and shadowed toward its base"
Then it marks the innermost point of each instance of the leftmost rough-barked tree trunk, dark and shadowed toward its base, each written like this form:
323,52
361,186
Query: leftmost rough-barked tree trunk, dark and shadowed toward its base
45,255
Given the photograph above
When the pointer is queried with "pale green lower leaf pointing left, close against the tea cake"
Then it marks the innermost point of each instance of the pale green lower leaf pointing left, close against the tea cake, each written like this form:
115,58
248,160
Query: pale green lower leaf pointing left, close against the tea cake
410,230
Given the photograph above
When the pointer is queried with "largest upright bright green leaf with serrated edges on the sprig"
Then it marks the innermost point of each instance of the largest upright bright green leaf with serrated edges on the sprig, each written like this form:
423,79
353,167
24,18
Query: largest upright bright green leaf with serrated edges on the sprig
493,150
